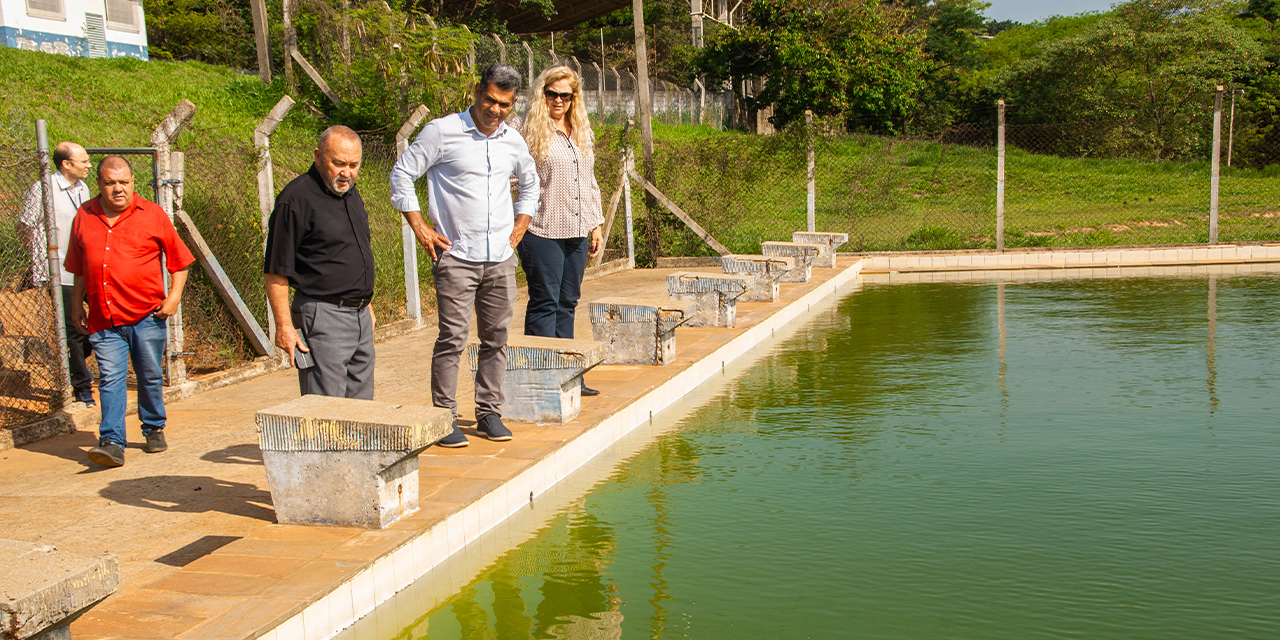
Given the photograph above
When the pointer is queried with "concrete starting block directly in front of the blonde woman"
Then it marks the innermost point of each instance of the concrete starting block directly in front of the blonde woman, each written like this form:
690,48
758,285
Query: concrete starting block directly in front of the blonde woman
545,377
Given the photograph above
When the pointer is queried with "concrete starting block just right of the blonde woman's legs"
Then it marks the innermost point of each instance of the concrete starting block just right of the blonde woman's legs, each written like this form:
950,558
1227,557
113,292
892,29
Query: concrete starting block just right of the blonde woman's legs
637,331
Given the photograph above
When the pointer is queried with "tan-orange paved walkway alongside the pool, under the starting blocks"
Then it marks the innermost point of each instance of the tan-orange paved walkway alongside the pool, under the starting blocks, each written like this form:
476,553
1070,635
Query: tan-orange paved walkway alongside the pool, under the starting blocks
202,556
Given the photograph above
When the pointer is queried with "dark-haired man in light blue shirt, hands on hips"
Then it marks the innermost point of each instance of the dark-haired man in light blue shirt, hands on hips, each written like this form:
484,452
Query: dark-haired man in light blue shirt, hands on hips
469,159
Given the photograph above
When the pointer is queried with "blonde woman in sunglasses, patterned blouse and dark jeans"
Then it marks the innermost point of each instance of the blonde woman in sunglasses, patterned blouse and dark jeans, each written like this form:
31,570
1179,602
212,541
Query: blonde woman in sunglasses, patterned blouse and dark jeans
566,231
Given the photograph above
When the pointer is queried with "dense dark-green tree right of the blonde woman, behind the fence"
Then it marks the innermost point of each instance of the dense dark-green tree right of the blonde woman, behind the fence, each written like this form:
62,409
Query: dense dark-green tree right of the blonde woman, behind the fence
838,58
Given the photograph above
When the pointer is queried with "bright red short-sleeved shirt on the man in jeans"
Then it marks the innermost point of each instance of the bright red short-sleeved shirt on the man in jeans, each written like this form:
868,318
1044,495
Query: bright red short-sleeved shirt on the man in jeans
121,264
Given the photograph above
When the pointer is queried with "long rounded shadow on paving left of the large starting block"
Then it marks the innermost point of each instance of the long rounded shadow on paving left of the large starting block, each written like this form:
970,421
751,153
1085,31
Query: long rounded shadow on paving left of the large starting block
193,495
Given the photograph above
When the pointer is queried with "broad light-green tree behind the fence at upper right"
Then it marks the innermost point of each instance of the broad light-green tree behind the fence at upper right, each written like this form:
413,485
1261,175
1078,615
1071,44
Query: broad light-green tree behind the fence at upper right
1149,65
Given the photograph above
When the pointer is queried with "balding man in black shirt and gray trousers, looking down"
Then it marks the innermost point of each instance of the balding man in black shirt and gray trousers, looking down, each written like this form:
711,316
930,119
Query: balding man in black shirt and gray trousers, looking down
318,243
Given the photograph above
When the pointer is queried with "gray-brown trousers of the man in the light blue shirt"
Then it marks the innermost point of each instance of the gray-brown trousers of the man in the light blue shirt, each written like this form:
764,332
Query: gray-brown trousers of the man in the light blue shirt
491,290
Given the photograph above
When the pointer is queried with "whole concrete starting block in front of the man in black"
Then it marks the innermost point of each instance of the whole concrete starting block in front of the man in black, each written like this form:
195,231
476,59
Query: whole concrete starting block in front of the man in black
346,463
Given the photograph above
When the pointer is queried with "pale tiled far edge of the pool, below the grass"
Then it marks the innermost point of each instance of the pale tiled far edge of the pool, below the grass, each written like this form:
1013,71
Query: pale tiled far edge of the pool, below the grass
1077,259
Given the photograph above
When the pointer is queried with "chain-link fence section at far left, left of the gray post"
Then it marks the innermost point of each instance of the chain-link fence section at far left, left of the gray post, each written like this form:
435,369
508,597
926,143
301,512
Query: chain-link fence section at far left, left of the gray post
31,373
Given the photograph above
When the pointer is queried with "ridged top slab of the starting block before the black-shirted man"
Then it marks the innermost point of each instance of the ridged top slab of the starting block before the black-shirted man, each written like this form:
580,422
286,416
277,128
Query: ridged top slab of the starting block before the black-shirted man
319,423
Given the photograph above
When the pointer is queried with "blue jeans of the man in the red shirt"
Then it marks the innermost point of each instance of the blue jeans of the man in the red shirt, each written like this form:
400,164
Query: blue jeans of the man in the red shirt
144,344
